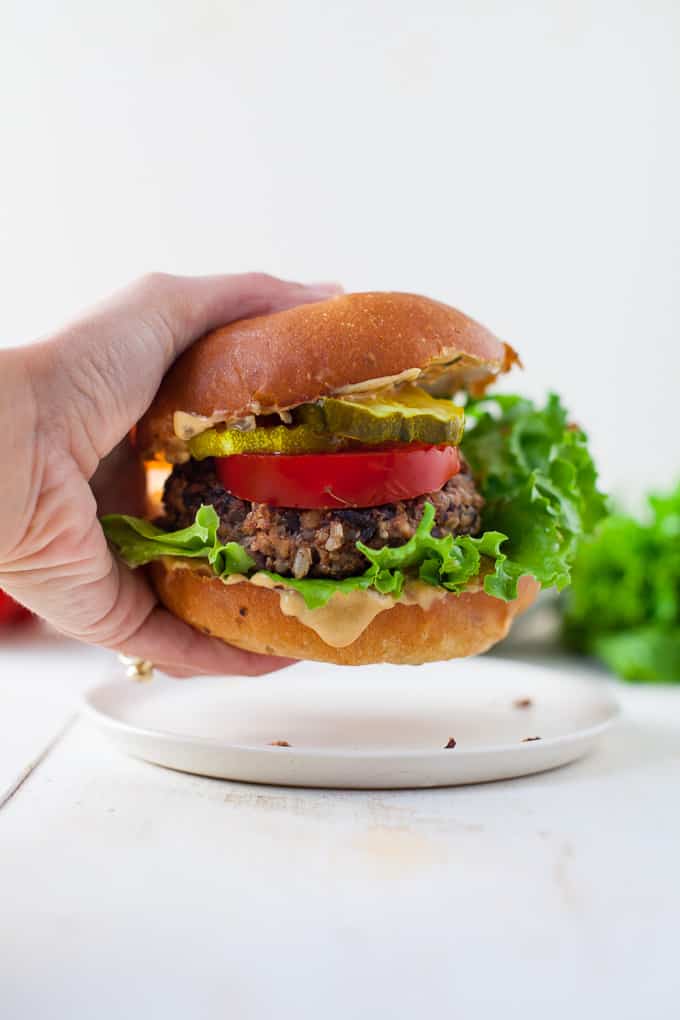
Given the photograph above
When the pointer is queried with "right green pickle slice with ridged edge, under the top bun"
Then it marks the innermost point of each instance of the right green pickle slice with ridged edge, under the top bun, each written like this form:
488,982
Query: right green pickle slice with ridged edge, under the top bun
411,416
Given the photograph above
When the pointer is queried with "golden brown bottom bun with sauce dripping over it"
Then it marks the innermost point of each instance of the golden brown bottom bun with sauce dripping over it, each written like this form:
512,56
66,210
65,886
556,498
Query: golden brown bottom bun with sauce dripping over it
250,618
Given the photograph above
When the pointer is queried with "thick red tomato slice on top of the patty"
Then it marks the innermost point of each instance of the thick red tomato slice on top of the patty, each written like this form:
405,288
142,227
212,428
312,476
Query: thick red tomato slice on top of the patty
356,479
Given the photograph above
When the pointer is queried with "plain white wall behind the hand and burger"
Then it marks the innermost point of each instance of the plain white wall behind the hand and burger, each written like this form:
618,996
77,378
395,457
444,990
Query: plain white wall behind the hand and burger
518,161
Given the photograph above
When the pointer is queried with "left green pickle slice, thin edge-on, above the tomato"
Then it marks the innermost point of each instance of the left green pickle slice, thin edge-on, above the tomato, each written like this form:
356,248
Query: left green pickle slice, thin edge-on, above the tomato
277,439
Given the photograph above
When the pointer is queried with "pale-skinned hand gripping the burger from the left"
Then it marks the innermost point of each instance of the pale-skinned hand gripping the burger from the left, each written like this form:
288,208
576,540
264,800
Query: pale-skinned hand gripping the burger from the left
67,406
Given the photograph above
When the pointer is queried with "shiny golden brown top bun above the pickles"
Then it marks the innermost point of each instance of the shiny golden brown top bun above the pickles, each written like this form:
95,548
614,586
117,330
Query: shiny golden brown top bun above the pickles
298,355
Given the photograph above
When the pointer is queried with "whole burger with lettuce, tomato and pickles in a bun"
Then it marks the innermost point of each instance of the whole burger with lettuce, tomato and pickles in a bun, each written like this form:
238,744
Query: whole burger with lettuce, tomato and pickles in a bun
342,488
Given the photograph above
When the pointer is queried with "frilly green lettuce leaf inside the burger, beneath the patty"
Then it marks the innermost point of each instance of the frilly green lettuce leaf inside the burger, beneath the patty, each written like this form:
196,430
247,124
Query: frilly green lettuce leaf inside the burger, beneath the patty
538,479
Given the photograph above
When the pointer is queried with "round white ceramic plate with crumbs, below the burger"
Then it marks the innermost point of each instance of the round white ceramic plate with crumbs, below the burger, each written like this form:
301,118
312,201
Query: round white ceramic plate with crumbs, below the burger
369,728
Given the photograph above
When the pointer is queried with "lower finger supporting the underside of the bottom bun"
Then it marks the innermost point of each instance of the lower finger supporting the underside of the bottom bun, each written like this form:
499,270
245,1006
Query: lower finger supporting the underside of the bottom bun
178,649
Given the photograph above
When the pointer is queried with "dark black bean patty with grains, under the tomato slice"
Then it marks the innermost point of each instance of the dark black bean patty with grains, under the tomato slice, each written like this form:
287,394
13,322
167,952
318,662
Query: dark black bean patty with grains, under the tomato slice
316,543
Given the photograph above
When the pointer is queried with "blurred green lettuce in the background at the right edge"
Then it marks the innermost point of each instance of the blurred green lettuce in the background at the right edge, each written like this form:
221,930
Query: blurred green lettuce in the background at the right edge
624,606
